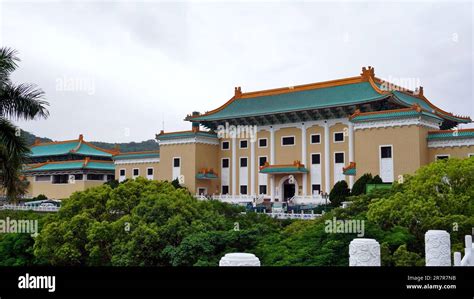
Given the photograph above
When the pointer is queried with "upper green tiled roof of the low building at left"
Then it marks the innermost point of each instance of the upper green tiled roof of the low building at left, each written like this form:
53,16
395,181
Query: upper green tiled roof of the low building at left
63,148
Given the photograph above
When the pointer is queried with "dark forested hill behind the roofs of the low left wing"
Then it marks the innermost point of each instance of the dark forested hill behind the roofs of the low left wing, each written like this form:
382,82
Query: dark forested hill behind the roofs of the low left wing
148,145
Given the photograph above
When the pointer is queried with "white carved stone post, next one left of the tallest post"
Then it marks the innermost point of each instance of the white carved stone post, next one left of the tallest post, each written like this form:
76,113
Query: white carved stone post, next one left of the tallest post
364,252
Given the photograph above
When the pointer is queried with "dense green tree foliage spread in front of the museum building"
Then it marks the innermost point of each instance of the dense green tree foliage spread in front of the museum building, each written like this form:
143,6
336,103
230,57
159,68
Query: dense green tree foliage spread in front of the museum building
147,223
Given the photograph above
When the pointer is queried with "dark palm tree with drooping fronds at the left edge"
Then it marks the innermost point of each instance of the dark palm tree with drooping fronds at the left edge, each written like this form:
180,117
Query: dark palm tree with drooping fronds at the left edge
18,102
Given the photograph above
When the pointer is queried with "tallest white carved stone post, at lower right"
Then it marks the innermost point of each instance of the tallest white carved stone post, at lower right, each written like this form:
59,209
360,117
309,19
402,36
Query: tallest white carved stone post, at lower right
437,248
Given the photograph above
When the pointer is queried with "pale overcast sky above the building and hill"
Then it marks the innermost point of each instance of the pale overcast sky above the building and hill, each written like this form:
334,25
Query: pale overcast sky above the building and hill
116,70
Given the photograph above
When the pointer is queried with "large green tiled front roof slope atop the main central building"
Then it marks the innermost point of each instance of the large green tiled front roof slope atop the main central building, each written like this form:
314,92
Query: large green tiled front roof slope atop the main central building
348,94
